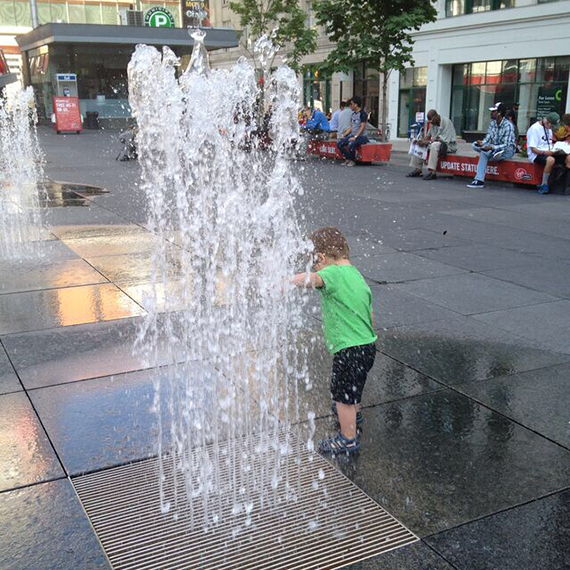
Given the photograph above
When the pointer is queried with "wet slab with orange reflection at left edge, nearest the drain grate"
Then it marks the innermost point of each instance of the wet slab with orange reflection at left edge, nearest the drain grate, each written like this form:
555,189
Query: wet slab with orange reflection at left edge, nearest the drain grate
26,455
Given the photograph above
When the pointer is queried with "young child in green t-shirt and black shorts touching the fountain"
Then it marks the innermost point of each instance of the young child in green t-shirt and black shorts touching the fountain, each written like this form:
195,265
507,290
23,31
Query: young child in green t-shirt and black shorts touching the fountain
346,303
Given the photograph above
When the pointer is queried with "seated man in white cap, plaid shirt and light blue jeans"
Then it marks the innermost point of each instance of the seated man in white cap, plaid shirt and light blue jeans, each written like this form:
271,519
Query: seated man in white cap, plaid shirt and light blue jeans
498,144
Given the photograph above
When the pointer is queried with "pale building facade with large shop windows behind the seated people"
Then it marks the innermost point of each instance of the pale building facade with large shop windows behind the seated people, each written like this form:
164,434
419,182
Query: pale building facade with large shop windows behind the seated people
477,53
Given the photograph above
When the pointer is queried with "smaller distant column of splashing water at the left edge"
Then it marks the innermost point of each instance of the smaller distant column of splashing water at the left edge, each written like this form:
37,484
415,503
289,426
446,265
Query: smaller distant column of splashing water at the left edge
21,169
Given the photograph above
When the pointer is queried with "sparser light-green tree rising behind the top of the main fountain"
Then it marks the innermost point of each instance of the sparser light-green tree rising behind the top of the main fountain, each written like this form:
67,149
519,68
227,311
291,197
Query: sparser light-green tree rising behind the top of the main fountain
281,20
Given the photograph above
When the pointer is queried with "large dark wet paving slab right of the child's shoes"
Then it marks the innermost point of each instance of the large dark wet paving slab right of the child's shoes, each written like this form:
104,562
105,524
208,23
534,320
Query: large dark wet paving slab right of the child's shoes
439,460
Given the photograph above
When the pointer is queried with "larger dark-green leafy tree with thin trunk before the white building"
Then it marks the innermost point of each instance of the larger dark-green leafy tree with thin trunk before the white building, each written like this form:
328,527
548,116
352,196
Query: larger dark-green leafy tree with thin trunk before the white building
376,32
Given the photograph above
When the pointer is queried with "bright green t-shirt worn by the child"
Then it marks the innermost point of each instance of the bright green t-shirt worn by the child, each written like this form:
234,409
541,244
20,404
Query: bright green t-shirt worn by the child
346,303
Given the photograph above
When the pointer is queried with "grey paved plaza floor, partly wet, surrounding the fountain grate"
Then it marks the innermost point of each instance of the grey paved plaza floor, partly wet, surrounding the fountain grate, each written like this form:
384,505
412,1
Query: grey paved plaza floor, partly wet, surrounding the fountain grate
467,432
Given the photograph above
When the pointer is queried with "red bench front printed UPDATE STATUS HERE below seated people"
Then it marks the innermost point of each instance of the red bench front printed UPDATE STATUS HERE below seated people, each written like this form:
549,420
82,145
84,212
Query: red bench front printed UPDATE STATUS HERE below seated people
515,171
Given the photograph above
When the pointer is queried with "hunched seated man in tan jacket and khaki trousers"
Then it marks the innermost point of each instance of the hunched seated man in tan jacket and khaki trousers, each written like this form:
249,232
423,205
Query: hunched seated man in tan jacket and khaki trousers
441,139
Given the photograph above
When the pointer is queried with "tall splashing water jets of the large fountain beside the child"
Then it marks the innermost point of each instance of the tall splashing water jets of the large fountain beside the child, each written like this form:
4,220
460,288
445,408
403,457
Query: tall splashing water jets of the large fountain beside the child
223,210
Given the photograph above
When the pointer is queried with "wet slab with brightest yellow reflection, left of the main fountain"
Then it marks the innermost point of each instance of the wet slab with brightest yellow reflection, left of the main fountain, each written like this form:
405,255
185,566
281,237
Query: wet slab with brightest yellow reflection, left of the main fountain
37,310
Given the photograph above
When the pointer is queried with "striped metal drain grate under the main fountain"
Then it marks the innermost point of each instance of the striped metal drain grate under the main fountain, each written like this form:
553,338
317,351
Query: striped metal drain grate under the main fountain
331,524
